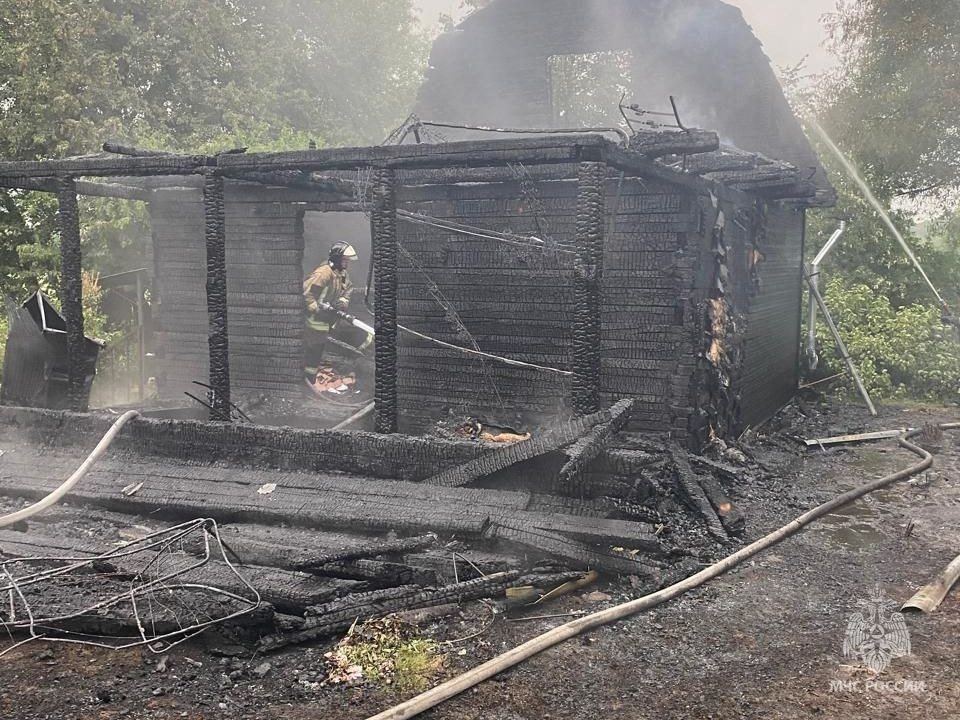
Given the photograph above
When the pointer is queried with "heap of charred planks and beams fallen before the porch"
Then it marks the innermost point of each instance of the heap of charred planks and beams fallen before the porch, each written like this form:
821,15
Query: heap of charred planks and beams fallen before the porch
323,550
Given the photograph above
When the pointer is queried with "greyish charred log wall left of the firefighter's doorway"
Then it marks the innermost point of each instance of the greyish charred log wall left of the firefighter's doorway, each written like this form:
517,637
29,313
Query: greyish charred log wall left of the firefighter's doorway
264,246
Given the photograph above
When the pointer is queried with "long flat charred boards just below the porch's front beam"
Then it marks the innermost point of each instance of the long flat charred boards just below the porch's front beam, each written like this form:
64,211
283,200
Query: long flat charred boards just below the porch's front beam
175,490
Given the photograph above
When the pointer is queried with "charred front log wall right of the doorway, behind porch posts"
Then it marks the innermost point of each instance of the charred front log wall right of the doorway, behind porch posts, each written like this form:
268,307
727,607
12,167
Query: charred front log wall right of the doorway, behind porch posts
519,301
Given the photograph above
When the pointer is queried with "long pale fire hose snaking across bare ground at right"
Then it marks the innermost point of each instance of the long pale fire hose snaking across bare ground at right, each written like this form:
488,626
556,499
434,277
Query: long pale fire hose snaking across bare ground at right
469,679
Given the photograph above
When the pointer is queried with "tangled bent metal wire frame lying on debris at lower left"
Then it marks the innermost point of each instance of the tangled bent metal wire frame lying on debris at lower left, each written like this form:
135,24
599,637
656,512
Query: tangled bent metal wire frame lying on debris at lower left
161,590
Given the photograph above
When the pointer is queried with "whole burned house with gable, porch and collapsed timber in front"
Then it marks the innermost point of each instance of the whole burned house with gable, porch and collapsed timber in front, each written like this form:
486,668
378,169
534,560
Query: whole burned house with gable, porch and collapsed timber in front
641,276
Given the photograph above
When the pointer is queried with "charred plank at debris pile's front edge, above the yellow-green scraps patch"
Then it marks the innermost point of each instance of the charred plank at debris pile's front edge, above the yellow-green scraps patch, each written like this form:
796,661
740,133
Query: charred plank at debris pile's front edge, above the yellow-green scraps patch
336,616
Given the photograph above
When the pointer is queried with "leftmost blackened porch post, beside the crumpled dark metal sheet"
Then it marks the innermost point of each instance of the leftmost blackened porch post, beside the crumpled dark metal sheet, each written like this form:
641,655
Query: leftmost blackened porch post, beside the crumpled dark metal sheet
71,289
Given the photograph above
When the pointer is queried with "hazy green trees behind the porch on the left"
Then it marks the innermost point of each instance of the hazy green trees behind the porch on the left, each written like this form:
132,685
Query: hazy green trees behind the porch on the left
185,75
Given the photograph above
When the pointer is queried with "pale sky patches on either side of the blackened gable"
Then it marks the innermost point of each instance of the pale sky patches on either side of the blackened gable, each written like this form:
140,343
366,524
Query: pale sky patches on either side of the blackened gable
790,30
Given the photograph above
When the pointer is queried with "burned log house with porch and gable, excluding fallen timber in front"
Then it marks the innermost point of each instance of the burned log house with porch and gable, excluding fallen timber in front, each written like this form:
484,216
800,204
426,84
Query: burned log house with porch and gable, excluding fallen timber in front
515,277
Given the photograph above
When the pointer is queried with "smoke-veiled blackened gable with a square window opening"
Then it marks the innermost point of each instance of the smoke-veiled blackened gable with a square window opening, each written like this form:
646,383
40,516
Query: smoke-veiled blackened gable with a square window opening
499,68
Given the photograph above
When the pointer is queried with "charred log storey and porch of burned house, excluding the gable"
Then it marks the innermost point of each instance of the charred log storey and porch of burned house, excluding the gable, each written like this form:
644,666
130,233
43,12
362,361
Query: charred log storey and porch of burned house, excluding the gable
515,279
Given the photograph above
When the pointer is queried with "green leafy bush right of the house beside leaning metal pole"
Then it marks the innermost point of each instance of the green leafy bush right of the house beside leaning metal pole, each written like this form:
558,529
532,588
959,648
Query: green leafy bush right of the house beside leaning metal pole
904,352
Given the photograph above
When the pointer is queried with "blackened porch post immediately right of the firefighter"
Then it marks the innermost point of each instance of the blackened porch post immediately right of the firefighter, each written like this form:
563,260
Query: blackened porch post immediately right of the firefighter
385,318
